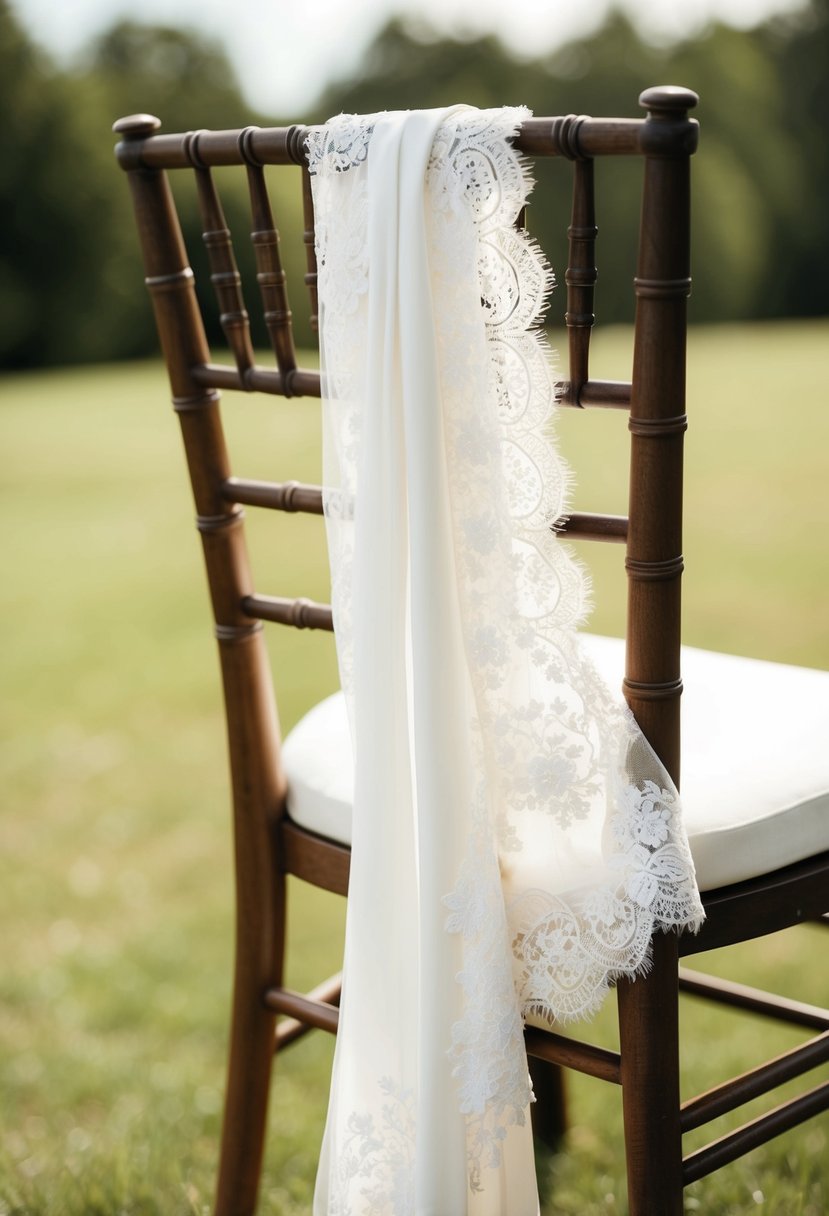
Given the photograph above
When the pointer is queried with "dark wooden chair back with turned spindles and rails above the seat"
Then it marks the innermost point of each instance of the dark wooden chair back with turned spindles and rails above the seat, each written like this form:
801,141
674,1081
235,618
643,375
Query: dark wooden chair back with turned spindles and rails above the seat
664,142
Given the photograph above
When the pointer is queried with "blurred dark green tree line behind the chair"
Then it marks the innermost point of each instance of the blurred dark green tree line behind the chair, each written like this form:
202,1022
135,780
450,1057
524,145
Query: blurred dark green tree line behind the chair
70,269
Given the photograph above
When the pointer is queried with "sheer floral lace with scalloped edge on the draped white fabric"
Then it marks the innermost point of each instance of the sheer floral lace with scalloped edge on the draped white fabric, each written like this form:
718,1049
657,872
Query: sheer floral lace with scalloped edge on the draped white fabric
576,851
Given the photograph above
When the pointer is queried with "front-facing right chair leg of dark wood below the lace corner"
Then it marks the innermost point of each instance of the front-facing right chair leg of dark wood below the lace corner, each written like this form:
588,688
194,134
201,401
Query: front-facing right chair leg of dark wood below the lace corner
650,1046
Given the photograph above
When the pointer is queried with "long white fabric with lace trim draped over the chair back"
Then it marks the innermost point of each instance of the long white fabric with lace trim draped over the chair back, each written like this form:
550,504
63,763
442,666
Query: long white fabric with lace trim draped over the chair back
516,841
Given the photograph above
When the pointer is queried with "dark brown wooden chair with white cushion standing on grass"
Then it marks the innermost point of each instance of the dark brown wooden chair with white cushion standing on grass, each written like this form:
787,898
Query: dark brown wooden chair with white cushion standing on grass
770,874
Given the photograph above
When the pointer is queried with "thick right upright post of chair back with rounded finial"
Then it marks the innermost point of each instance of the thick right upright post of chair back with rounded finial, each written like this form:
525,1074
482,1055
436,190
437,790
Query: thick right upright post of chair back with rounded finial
658,423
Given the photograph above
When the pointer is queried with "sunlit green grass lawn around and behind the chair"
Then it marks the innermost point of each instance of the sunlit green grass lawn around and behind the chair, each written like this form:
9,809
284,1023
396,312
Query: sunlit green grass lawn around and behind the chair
115,841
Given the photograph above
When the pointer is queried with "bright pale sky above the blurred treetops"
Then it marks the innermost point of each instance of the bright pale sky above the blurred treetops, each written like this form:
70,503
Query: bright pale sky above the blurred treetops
286,50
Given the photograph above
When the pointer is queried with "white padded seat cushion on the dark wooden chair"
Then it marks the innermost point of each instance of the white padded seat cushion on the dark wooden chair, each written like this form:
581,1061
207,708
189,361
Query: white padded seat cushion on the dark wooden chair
755,762
